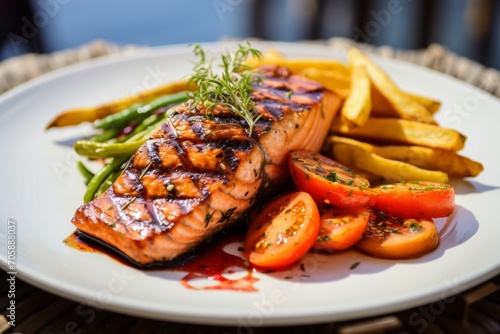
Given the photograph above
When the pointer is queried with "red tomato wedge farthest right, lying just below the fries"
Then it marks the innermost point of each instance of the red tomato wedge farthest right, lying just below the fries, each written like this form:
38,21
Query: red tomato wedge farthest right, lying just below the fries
417,199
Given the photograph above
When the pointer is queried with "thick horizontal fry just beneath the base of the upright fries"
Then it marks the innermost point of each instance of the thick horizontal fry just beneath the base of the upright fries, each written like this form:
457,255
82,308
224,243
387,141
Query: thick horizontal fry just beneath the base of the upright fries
400,131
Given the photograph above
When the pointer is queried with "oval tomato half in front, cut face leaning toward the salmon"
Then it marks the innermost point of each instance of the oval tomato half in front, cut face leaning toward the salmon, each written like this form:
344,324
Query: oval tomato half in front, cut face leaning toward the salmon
283,232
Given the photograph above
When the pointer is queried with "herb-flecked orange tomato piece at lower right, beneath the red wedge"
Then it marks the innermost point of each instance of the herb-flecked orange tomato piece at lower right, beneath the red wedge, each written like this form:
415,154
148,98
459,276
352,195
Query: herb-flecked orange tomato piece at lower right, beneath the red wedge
393,237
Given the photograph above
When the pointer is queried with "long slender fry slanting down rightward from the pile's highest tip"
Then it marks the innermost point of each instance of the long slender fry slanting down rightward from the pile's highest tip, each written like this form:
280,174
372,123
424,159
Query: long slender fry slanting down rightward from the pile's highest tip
406,107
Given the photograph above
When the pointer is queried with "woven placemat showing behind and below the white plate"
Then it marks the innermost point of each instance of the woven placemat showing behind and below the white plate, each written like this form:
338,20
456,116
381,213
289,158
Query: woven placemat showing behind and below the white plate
474,311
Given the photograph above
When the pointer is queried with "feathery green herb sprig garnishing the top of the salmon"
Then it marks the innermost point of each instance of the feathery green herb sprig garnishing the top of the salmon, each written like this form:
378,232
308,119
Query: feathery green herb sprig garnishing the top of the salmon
231,87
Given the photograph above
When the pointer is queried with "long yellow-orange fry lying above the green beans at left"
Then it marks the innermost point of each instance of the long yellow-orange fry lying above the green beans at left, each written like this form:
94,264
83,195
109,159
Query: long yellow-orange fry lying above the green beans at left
77,116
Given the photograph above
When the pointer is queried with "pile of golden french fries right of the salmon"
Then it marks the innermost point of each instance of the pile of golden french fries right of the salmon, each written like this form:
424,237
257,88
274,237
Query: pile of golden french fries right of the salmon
382,131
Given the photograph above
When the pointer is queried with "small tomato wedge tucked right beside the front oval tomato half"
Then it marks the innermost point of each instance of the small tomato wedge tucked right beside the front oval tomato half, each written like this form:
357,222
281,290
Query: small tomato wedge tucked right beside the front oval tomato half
340,228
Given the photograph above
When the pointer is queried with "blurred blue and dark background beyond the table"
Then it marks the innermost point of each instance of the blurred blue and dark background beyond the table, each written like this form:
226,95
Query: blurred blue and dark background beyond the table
467,27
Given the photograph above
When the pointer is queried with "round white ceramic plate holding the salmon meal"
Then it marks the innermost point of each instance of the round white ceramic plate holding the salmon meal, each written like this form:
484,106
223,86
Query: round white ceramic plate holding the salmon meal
41,190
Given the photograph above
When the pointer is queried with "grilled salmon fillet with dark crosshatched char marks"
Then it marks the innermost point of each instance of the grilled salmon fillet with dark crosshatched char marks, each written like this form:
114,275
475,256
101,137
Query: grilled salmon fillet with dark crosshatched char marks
198,175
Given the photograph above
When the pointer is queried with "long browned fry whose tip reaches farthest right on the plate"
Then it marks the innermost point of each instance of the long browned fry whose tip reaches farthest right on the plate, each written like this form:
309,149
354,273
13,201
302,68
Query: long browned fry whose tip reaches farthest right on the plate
450,162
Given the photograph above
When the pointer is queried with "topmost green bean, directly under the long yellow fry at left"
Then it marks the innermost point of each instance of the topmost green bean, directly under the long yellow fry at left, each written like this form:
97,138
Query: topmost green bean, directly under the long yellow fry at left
138,111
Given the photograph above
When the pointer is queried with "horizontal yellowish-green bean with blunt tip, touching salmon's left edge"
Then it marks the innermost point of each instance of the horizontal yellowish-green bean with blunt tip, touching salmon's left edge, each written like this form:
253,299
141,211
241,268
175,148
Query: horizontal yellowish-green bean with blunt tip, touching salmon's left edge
95,150
